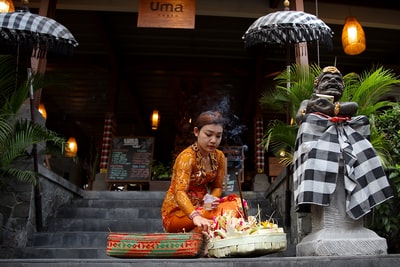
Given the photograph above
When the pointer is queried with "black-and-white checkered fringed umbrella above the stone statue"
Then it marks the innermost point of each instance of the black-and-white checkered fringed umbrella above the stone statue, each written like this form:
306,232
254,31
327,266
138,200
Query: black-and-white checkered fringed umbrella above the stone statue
287,27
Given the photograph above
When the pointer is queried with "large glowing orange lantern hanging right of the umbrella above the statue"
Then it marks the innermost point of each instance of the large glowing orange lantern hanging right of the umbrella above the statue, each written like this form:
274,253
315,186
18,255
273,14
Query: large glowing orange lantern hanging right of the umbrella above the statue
353,37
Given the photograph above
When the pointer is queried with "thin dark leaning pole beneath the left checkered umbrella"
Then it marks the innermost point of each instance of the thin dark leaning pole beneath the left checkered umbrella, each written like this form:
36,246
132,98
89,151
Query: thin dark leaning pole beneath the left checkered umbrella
38,196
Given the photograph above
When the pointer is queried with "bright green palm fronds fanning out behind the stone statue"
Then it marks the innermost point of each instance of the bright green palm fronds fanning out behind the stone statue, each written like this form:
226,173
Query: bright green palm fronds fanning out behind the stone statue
297,83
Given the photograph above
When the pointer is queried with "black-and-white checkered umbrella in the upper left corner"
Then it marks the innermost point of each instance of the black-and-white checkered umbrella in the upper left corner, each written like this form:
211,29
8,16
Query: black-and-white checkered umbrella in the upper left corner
31,30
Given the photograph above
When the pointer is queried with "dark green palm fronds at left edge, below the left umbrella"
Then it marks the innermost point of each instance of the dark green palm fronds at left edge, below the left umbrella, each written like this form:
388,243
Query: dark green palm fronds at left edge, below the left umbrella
17,135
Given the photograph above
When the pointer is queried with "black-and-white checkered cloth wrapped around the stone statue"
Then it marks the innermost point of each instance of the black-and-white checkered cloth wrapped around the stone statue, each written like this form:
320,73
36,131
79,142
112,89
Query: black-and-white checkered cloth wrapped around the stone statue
320,144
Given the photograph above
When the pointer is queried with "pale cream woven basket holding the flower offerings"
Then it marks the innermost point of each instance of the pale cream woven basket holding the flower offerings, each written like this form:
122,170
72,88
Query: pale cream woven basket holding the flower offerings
249,245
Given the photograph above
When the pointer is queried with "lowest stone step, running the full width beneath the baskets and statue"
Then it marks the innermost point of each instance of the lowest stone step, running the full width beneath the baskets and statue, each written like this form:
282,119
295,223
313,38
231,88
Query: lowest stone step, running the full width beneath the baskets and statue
265,261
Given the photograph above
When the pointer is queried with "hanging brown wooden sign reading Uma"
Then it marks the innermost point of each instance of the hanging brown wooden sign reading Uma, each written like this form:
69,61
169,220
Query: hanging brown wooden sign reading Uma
167,14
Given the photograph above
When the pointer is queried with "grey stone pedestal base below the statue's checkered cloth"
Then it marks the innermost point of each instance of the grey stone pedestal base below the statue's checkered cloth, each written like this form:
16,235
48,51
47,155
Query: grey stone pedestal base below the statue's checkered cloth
334,233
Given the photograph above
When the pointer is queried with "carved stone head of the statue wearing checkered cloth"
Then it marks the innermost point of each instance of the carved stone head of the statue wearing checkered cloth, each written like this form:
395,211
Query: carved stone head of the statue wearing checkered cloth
329,82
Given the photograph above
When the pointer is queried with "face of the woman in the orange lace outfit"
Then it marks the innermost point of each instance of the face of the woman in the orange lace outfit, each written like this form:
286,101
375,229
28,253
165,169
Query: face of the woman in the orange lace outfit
208,137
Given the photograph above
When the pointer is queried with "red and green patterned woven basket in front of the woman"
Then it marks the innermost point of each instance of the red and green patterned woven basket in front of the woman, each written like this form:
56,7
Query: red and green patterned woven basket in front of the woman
155,245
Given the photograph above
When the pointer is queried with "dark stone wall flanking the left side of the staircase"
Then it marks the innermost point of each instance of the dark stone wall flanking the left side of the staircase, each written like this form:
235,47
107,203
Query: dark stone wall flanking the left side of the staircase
18,209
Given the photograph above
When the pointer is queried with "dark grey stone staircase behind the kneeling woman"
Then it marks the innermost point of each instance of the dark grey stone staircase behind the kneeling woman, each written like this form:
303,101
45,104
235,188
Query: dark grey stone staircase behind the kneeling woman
79,230
